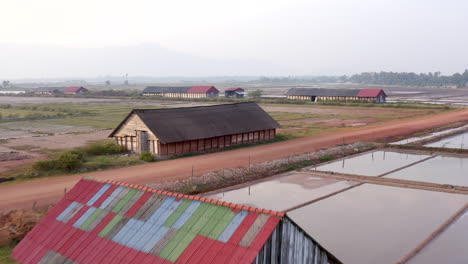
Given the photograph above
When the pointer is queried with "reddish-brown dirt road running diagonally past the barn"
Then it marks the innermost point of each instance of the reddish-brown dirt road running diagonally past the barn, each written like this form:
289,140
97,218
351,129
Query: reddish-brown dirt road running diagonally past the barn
48,190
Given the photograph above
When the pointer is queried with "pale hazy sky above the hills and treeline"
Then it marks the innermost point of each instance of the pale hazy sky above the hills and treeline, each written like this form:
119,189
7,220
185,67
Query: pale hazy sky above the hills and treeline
303,37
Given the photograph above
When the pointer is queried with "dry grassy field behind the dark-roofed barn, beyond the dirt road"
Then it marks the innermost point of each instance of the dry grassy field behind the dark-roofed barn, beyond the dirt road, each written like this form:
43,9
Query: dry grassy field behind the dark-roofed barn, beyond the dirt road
42,125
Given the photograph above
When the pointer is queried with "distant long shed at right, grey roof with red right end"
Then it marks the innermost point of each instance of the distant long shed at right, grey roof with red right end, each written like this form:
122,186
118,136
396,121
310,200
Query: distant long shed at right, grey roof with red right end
320,94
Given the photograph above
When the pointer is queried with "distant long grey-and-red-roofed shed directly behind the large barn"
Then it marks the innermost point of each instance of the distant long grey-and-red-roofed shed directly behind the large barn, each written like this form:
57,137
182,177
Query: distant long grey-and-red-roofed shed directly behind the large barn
182,91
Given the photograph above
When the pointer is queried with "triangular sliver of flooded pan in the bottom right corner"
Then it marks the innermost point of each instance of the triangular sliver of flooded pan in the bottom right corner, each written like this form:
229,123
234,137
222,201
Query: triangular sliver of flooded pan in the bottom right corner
448,247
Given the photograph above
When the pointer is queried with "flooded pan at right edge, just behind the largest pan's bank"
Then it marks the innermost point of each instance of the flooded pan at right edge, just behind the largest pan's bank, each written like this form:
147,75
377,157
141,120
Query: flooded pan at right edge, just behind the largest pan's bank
441,169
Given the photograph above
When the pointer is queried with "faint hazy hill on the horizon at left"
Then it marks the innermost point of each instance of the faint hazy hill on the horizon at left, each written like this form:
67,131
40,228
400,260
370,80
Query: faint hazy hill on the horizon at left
43,61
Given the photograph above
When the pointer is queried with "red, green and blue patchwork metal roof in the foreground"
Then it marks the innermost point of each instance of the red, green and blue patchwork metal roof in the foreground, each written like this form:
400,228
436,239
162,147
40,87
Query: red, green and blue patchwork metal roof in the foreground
110,222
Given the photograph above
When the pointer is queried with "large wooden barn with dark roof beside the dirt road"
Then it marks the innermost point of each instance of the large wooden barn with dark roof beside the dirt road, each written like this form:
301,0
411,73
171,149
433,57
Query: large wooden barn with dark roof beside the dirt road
173,131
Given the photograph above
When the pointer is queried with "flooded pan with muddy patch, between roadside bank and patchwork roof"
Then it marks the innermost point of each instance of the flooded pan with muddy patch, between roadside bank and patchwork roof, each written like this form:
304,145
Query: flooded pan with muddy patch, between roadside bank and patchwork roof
283,192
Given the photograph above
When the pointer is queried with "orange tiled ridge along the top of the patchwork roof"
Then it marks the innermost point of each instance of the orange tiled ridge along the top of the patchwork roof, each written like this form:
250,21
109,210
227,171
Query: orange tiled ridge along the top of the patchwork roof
193,197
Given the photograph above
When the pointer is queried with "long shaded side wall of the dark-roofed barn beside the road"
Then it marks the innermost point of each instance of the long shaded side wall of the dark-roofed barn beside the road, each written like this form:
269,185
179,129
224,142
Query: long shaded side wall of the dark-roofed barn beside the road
215,143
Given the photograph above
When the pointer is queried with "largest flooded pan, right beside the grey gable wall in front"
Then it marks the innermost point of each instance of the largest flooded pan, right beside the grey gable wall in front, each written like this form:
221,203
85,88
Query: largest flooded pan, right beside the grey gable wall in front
376,224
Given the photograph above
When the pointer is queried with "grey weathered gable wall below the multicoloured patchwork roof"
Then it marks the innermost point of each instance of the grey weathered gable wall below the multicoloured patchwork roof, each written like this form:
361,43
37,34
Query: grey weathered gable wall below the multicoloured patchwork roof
290,245
